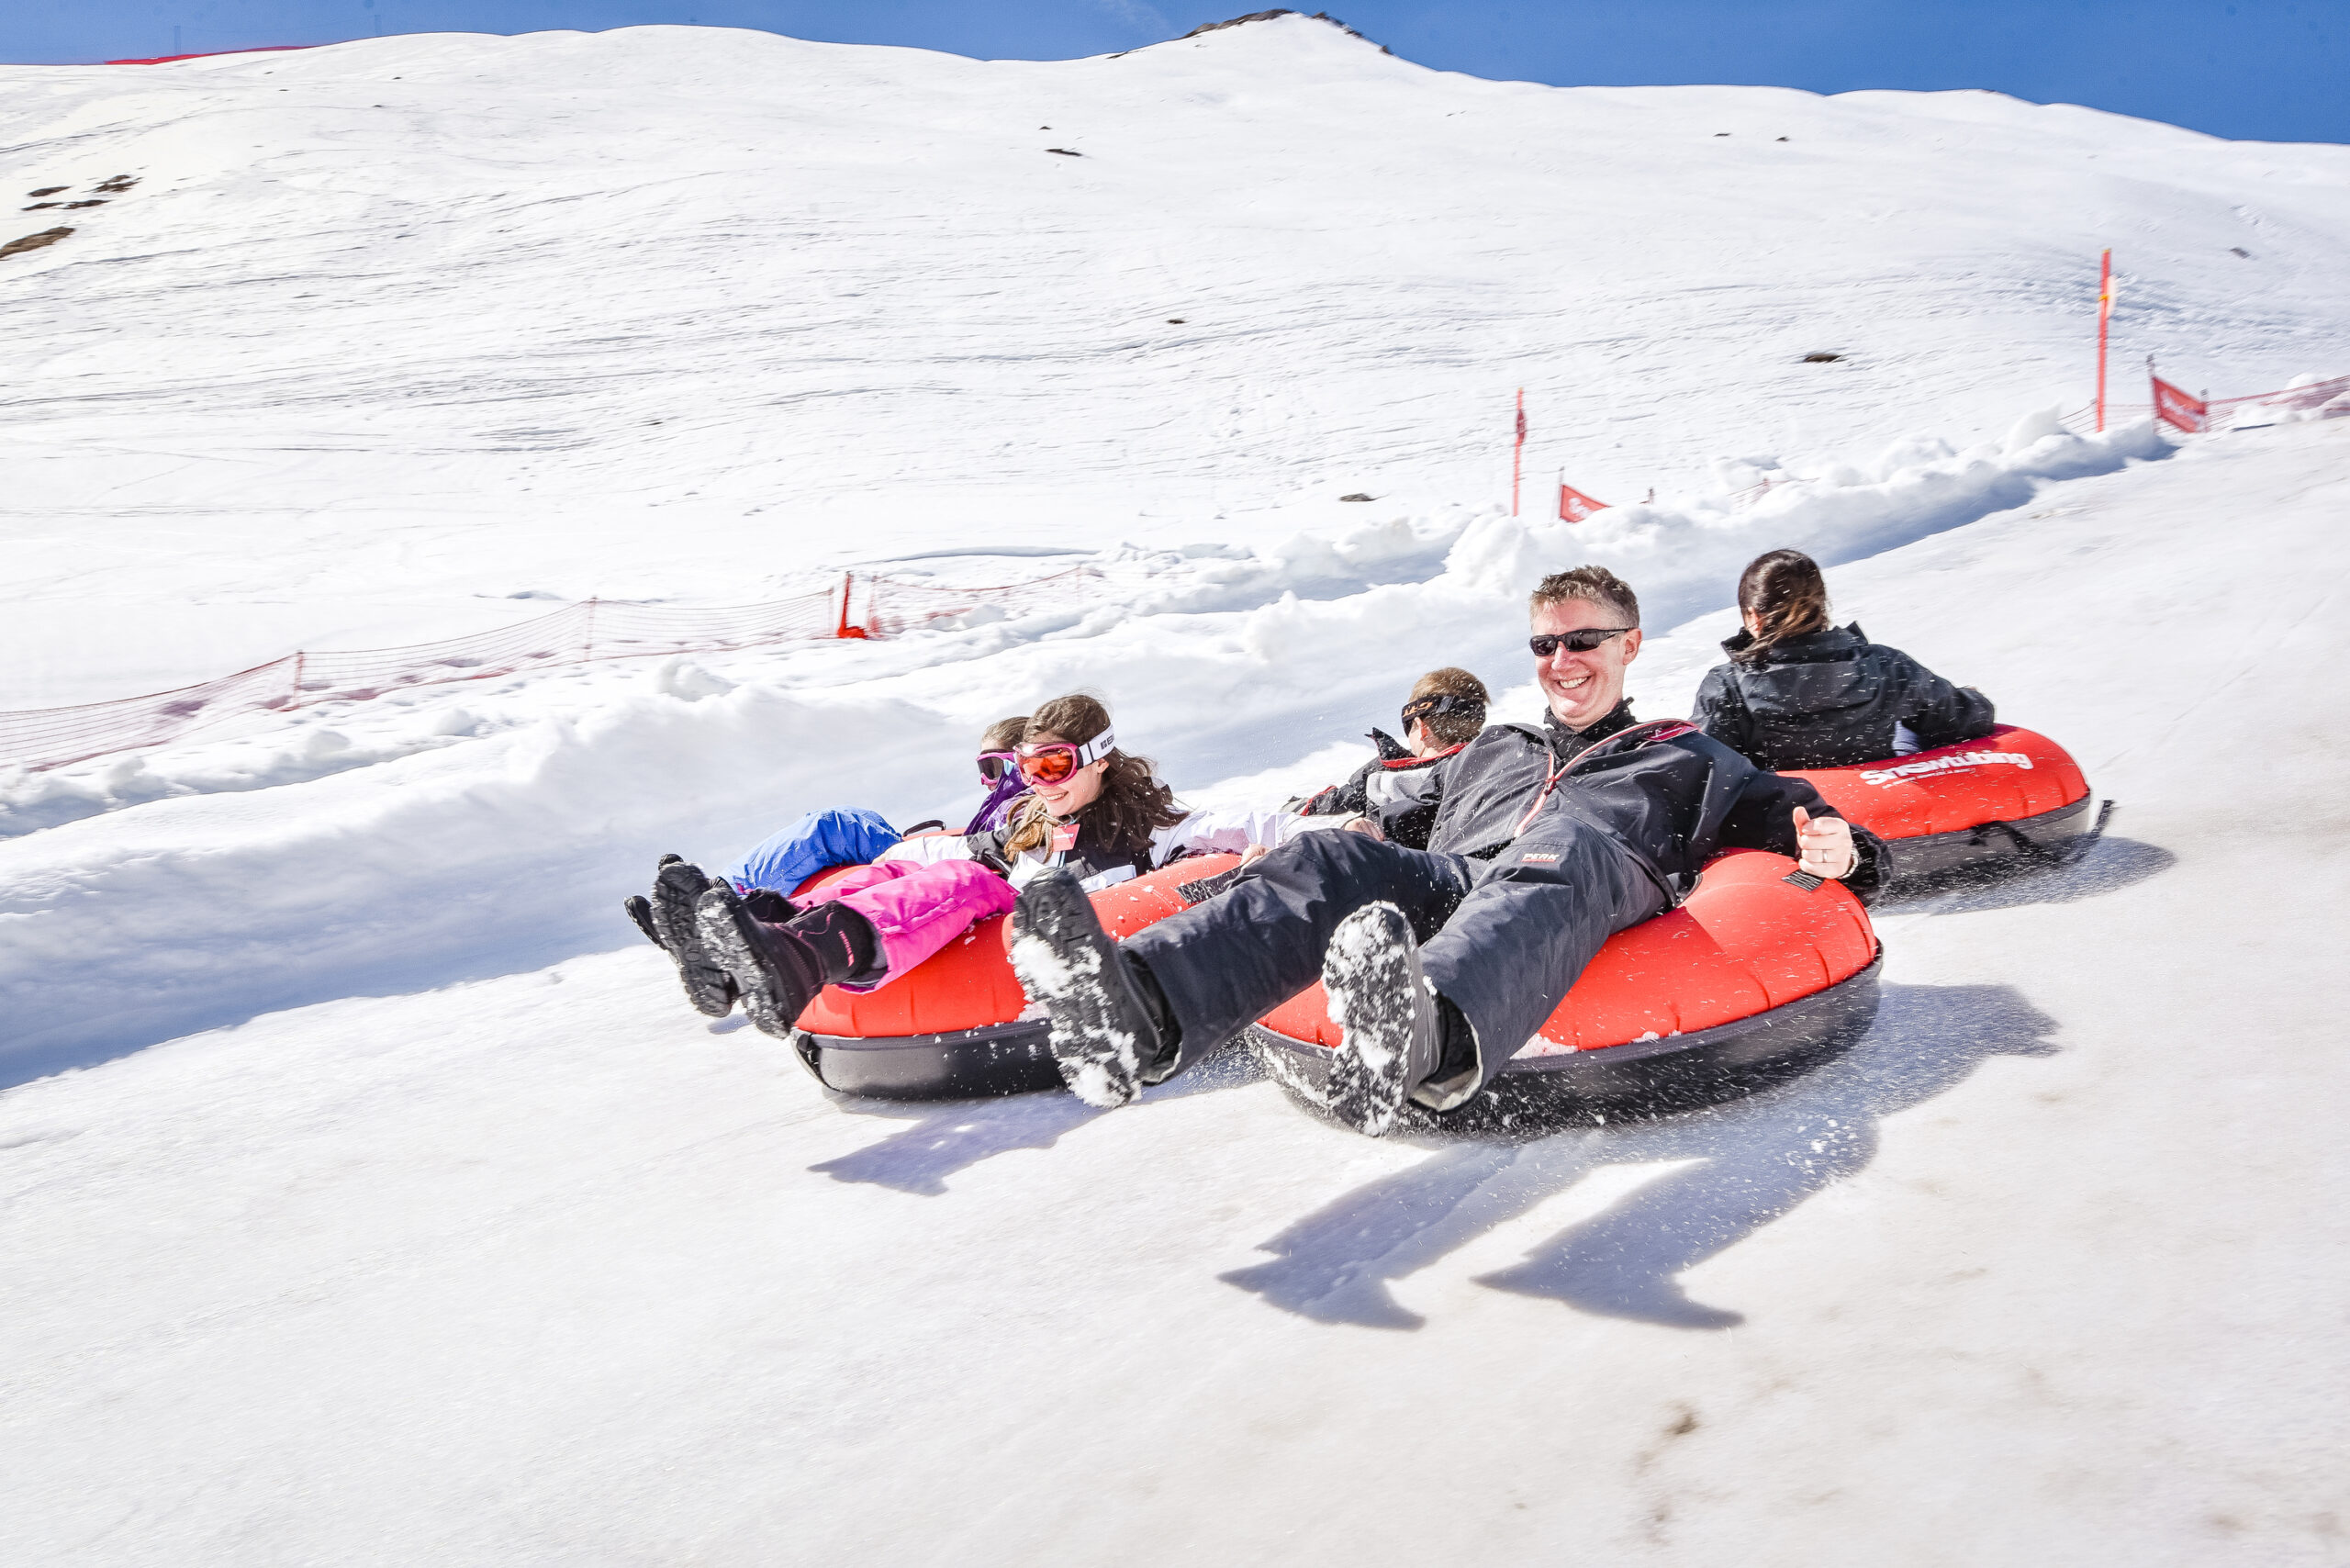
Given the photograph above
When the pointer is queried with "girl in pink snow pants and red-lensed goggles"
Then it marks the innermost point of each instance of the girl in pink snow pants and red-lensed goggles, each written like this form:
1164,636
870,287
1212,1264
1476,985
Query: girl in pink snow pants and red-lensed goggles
1092,812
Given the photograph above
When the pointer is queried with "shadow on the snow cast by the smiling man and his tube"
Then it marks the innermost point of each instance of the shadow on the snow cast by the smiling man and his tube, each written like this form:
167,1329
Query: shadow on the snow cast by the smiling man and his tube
1757,1160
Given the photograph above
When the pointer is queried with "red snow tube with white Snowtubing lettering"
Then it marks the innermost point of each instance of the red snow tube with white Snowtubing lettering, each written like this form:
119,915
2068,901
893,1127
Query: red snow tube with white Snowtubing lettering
2013,798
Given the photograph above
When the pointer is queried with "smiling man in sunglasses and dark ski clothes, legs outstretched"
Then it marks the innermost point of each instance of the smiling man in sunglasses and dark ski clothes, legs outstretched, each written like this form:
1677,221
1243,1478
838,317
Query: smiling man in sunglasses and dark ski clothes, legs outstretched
1444,963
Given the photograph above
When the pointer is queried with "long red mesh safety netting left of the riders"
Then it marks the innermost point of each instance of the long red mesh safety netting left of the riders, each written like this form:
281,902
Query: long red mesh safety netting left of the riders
572,636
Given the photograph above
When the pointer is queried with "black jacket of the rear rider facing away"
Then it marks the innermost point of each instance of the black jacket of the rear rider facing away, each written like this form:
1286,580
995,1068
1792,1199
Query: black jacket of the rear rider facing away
1832,699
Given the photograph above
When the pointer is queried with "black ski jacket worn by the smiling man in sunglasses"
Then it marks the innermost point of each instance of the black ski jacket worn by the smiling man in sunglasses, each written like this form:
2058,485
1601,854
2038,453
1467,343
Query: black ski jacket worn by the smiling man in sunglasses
1672,803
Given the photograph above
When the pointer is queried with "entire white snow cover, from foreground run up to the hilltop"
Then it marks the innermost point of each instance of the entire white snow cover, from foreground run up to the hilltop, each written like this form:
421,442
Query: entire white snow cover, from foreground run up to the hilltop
372,1195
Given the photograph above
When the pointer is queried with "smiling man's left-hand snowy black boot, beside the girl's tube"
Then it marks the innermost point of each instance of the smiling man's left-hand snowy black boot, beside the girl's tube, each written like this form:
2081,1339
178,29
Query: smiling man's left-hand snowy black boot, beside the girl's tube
1103,1033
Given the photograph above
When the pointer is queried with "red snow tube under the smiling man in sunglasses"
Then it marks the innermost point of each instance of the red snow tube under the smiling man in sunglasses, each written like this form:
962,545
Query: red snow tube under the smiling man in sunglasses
1754,974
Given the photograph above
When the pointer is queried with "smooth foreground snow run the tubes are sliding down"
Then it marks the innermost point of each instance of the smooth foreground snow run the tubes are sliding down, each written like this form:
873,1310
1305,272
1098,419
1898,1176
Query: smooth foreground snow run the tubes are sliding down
549,1271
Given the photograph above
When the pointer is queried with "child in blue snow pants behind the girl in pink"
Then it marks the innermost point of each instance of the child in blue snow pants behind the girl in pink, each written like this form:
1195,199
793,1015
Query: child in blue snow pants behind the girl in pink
779,864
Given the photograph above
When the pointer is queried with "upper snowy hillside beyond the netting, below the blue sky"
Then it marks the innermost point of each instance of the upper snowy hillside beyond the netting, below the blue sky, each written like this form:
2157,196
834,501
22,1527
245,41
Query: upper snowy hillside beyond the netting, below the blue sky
401,328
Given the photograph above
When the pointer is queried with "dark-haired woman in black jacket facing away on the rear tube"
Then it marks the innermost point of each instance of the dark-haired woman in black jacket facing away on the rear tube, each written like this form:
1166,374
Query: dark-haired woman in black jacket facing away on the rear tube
1804,695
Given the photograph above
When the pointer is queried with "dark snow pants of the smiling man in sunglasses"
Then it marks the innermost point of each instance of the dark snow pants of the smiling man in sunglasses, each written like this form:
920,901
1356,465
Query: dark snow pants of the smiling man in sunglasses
1500,939
